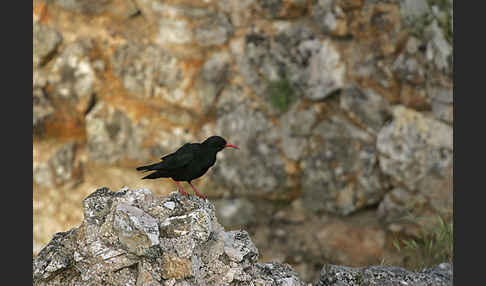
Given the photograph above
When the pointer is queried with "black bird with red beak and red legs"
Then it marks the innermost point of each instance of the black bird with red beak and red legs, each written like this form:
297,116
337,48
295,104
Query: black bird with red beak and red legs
189,162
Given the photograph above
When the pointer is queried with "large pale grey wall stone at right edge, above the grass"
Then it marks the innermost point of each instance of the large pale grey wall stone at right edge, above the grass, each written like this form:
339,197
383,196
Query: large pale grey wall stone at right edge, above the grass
416,151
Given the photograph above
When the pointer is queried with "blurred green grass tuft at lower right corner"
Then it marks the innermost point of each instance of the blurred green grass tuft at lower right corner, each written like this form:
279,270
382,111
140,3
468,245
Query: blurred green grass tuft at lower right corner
430,248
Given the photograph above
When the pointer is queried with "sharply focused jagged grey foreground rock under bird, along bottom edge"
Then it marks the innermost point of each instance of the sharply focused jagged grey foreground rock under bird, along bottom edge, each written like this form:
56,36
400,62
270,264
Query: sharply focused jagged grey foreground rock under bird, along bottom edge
132,237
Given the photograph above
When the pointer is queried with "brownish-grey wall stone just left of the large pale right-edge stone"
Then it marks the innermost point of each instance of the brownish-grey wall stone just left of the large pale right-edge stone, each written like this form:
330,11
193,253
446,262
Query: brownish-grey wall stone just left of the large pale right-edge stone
341,173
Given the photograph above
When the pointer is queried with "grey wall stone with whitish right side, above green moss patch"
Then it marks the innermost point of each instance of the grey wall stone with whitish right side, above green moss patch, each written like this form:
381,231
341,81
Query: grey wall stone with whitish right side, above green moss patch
312,66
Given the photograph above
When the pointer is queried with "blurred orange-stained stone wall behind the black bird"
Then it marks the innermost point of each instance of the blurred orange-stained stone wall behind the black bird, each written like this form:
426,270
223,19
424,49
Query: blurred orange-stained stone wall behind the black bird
342,110
